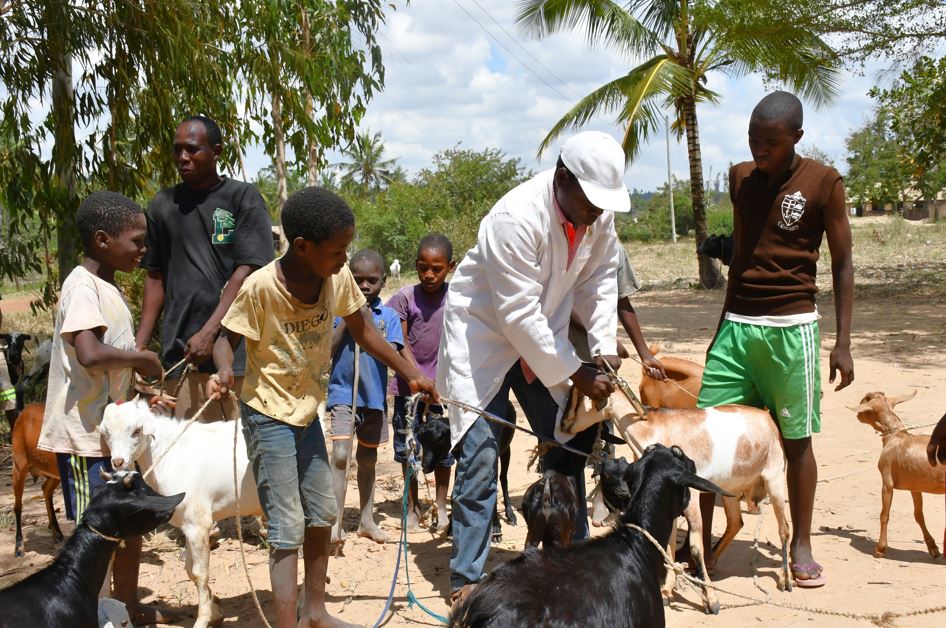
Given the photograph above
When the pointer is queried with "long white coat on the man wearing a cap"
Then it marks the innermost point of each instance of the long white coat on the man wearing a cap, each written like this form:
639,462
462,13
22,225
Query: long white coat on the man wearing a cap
512,297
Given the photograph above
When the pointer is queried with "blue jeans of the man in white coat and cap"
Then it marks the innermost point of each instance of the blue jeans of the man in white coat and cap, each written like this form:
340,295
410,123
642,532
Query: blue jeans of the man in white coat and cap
474,489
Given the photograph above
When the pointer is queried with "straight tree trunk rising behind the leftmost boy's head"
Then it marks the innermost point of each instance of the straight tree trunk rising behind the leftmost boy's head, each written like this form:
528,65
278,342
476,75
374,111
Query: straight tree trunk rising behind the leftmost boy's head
64,139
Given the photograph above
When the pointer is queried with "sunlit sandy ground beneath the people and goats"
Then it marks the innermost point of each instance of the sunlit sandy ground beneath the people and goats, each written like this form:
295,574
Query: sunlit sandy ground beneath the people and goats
899,344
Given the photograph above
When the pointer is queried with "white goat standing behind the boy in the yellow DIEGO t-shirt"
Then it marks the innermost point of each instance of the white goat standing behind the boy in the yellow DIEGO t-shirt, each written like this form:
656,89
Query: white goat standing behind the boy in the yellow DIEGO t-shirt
200,464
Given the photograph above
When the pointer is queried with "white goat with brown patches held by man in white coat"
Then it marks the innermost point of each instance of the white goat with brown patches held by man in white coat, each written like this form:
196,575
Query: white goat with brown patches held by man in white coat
734,447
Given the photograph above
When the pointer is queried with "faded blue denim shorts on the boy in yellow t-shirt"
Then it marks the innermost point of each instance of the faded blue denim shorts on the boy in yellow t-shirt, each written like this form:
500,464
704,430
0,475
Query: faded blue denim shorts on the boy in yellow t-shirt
292,474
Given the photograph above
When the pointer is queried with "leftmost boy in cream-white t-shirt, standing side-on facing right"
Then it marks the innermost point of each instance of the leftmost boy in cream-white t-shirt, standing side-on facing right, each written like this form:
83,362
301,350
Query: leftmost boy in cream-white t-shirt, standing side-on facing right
92,361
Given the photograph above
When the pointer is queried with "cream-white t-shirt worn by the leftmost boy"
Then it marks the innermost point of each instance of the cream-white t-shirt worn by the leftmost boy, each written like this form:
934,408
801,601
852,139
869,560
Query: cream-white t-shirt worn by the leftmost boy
76,397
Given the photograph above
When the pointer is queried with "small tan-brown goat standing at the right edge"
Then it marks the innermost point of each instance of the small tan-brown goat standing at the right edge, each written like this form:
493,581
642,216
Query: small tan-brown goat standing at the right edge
903,464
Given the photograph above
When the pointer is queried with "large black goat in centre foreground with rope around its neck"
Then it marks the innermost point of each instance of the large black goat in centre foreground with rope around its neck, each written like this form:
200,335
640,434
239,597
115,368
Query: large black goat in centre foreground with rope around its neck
612,580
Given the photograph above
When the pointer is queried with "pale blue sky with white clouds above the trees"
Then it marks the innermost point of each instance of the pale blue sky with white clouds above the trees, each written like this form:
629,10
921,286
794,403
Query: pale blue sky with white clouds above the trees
459,71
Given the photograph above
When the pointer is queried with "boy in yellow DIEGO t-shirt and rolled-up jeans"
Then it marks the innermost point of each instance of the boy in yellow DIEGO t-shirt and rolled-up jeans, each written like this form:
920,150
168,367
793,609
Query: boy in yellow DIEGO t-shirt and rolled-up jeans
285,311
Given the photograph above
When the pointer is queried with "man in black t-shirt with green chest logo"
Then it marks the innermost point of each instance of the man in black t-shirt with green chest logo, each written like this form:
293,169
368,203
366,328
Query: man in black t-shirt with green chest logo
205,236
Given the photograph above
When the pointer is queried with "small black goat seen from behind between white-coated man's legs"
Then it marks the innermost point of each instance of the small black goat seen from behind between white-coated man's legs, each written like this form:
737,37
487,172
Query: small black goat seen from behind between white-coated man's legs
550,508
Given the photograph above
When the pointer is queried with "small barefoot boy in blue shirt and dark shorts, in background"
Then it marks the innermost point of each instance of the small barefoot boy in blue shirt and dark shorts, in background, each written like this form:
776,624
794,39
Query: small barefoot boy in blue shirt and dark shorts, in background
370,417
